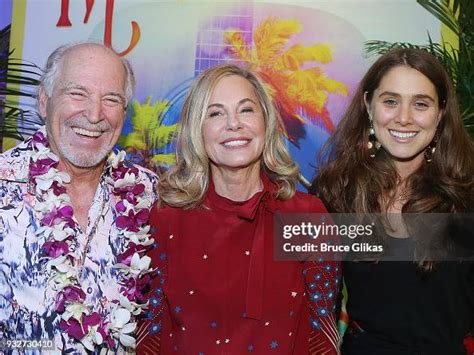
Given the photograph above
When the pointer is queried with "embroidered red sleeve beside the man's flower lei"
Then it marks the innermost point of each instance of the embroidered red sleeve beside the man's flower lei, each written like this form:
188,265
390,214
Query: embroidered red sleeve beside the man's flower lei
150,327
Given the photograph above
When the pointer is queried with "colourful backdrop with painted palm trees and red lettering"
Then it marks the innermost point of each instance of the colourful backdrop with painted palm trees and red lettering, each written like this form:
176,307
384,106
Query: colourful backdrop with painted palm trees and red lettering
310,54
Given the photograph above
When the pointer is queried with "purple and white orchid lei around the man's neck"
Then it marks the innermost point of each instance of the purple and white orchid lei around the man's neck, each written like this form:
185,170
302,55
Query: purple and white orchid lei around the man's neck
58,226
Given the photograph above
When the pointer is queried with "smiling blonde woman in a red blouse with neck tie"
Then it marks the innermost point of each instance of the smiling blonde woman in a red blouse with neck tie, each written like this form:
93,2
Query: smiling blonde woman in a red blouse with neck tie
218,289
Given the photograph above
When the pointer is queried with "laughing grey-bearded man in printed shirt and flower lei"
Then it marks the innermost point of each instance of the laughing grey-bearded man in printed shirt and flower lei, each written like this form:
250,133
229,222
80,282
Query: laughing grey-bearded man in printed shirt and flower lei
73,215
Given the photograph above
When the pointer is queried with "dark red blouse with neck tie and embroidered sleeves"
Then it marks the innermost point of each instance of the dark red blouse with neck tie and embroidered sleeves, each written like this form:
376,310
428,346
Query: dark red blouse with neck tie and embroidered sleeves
218,289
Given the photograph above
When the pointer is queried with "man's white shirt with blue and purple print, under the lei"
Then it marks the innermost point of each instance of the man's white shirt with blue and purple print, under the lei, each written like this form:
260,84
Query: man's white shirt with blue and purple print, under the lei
26,296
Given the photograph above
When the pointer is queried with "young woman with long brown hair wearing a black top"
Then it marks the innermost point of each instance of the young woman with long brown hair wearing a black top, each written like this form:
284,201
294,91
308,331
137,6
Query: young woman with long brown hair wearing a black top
401,149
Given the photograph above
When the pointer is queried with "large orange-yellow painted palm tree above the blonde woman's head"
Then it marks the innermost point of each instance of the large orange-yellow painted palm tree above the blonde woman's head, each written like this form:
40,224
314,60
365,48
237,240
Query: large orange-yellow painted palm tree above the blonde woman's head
300,90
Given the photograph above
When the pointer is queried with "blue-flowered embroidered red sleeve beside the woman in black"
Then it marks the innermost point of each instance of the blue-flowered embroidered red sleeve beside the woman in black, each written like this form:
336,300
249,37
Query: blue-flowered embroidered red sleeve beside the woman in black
323,280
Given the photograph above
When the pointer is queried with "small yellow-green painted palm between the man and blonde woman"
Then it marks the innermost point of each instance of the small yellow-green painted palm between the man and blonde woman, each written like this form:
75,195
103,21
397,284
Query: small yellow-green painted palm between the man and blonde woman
149,135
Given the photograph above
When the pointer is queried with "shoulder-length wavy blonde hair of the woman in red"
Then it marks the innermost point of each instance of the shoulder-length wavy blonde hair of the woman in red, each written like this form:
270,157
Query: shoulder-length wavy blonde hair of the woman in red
186,184
